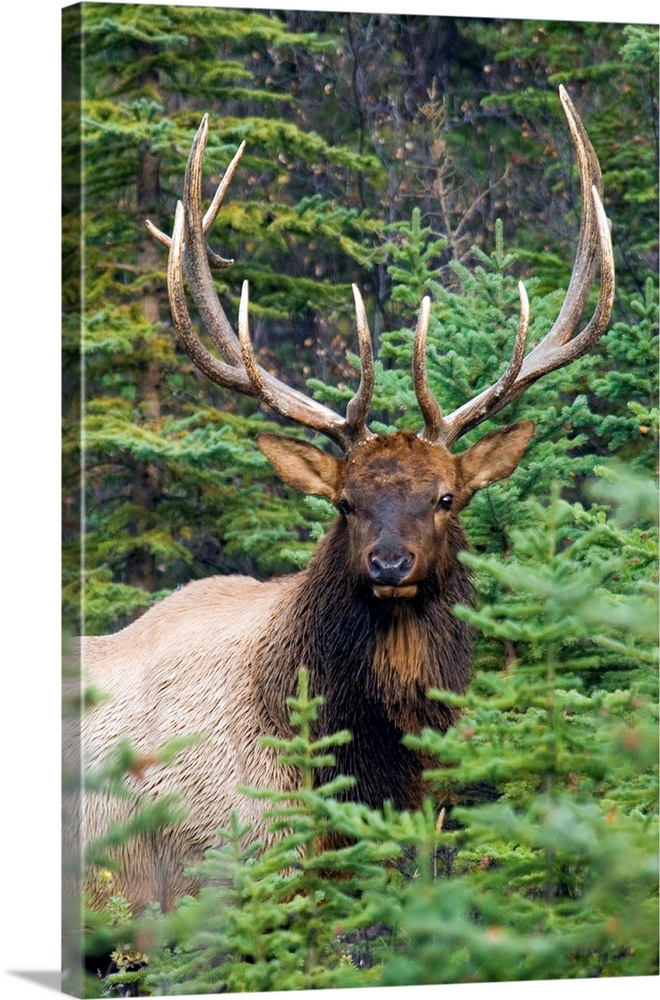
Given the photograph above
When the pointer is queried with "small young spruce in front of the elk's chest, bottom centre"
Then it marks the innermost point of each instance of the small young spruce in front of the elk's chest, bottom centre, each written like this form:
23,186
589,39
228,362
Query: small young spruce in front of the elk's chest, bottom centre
277,916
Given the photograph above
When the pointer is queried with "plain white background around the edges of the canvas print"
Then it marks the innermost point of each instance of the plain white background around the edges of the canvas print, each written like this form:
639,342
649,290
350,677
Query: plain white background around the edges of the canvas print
29,454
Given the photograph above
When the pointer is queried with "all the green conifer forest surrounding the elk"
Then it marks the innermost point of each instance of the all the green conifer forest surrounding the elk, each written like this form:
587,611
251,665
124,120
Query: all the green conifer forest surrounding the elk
412,156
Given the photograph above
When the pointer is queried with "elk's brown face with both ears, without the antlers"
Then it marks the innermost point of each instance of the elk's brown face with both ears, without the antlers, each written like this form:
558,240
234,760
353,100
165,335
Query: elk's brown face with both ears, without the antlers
390,490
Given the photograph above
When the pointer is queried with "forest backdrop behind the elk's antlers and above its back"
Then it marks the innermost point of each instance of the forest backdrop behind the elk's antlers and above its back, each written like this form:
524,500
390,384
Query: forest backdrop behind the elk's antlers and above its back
403,153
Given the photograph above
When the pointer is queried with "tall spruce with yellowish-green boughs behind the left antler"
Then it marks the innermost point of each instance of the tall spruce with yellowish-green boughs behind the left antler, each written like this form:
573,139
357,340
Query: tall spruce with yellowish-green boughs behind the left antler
171,487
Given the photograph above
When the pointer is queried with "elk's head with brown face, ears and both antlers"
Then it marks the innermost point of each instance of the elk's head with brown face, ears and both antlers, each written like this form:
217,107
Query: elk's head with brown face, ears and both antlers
398,494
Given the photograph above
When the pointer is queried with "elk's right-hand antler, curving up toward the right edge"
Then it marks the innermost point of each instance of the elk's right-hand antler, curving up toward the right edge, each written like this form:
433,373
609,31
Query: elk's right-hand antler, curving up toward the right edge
559,347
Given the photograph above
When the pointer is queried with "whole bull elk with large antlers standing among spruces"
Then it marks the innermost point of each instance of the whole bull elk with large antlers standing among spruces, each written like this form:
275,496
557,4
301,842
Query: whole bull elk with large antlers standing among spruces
370,617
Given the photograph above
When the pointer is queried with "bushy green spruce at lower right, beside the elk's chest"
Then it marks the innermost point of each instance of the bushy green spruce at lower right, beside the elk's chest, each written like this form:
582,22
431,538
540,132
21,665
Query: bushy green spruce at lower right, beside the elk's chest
557,877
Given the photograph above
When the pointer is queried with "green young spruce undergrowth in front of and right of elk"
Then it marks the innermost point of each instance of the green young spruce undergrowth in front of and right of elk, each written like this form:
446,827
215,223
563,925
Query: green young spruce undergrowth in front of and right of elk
536,853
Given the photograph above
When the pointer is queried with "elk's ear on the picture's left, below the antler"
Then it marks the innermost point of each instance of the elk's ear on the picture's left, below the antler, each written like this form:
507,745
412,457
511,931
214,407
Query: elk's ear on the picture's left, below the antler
302,465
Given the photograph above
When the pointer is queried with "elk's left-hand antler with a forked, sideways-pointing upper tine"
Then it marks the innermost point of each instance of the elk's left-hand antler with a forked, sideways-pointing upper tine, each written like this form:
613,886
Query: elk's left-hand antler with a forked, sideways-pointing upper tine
238,369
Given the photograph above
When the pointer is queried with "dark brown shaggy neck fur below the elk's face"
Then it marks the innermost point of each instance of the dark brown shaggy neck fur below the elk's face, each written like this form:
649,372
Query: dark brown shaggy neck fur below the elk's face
372,660
